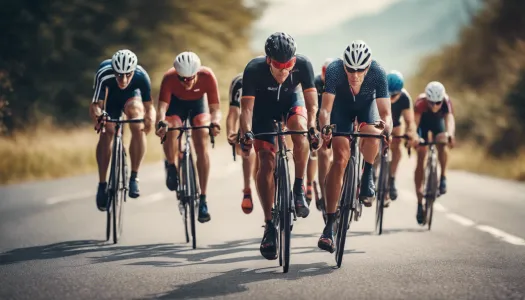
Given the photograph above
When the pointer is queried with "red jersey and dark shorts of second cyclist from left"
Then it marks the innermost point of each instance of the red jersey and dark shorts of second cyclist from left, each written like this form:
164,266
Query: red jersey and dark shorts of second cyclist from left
183,103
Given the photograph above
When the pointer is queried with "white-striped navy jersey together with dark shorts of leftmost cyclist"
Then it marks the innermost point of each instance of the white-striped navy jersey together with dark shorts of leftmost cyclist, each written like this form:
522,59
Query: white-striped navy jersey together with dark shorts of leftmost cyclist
139,86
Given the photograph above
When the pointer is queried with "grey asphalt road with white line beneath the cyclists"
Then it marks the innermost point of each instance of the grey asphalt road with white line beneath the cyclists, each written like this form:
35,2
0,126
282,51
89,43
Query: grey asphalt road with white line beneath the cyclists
51,245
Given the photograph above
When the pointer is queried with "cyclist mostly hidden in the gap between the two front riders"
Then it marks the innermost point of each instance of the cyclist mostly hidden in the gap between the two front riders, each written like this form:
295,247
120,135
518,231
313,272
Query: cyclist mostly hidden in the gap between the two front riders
322,156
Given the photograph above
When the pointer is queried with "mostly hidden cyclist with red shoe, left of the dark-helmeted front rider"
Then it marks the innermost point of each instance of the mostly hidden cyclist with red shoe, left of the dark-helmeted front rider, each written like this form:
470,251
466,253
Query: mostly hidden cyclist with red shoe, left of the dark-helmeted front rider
232,128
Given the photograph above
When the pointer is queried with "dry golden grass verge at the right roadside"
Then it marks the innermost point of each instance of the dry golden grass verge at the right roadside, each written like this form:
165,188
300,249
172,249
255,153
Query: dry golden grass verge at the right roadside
474,159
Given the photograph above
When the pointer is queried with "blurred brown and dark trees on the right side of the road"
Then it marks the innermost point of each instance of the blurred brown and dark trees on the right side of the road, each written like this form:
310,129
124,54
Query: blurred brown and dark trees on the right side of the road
484,72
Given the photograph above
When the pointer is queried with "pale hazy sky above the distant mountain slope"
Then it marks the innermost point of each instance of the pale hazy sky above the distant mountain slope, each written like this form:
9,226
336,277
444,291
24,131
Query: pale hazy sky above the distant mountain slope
310,16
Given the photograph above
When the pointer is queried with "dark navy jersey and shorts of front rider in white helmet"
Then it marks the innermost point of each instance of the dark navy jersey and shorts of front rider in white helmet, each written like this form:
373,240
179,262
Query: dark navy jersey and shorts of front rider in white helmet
348,106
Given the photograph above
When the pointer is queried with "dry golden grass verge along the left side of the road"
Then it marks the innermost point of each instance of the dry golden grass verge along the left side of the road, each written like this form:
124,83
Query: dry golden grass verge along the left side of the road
49,152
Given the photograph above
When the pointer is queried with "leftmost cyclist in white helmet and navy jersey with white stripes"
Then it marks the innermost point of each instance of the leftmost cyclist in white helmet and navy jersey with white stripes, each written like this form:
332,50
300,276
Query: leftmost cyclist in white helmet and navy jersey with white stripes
121,85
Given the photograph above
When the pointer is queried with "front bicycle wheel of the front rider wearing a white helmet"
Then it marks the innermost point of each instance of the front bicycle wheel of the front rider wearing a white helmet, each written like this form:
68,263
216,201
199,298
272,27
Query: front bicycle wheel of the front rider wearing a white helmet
344,216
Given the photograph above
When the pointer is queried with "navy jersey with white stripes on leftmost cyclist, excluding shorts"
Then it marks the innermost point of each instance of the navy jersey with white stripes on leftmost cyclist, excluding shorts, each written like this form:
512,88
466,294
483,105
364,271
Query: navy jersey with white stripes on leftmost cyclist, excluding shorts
105,77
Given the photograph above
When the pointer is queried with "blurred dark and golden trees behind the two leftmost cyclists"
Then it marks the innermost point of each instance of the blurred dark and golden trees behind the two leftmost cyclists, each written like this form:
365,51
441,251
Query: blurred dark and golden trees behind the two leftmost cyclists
50,49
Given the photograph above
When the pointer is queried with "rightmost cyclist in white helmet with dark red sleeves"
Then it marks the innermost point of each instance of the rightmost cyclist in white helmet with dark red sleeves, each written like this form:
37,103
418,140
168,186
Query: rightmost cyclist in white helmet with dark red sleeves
433,112
